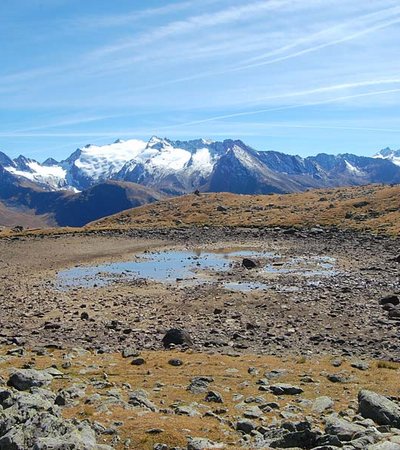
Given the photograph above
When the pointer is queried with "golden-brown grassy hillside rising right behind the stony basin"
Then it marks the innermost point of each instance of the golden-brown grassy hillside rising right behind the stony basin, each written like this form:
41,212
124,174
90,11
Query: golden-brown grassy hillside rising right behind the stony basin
373,208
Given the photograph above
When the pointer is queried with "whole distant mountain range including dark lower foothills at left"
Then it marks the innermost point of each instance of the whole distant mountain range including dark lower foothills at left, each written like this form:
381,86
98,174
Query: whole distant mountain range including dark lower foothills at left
95,181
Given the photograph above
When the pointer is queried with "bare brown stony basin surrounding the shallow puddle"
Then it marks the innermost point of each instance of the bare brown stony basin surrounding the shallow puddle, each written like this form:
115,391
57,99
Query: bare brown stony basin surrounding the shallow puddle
338,314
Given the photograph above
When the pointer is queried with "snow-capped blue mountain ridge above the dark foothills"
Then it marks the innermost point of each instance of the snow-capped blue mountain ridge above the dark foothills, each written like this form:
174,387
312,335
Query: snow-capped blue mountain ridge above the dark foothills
178,167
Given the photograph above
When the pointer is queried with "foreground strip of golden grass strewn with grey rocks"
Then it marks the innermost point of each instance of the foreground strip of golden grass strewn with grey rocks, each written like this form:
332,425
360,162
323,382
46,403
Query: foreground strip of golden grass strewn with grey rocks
164,400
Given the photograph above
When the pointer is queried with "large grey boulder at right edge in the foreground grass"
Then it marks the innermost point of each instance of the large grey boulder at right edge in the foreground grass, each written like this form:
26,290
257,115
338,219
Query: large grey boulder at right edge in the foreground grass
378,408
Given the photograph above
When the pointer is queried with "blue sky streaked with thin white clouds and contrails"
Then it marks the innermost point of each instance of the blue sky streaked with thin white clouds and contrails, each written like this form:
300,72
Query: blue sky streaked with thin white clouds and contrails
290,75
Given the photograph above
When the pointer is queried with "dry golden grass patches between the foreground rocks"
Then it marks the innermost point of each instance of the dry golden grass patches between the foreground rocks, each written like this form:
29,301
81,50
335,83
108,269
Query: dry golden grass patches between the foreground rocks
230,377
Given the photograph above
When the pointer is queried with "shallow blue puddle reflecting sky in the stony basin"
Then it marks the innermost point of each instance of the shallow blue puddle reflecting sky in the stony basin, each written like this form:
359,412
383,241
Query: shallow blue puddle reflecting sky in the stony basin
195,267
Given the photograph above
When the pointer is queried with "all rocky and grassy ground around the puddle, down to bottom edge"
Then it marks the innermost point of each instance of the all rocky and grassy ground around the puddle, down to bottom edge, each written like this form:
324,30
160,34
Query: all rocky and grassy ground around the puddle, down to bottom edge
309,362
